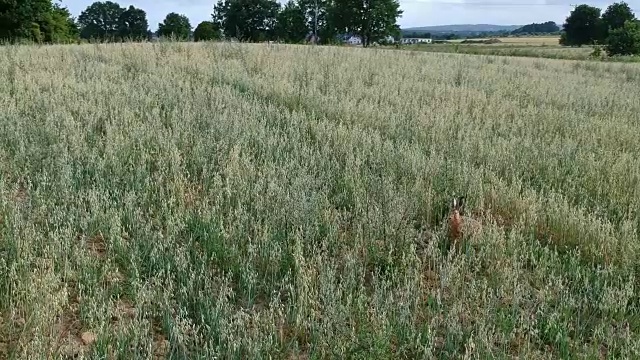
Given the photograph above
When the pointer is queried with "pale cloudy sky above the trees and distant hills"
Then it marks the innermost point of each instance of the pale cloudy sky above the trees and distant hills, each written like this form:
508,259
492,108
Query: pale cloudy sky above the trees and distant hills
416,12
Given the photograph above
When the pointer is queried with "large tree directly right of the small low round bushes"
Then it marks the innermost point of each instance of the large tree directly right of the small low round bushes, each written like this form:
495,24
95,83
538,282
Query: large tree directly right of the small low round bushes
247,20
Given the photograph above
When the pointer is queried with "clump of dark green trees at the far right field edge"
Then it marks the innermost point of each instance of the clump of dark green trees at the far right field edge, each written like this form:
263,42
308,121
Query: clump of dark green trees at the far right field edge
617,29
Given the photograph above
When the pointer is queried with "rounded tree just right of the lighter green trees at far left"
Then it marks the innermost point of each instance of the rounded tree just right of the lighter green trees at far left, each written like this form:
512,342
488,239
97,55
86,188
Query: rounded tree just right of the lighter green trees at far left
101,20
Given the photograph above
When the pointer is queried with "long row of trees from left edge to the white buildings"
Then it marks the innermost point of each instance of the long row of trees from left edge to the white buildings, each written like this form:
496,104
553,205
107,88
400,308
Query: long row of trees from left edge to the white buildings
46,21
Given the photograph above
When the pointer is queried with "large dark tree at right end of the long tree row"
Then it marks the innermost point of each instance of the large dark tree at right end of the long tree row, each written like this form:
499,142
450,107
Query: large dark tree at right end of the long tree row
369,19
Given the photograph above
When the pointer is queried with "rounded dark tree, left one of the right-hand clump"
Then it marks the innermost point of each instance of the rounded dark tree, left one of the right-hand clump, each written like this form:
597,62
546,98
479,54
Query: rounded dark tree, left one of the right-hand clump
582,26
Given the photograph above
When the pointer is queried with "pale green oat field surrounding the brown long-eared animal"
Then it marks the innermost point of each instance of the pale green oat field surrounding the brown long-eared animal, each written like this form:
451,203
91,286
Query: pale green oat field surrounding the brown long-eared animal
188,201
